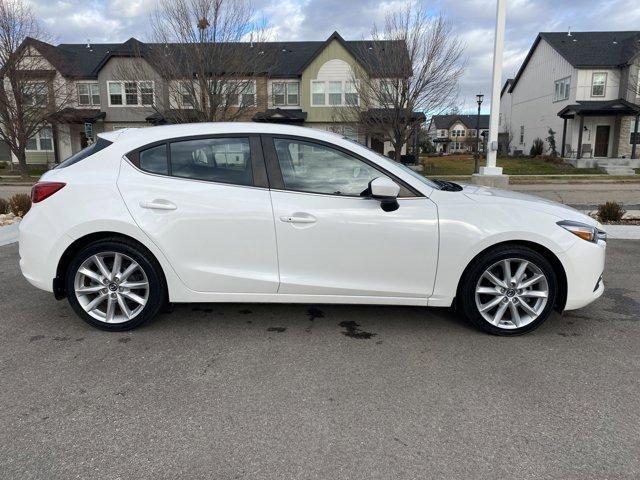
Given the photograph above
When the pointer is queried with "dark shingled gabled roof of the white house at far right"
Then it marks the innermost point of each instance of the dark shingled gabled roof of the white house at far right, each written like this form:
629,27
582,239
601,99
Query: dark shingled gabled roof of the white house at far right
588,49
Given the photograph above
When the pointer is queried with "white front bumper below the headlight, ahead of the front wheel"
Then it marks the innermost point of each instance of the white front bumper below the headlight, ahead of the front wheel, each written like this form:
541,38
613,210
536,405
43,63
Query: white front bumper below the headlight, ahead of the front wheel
584,263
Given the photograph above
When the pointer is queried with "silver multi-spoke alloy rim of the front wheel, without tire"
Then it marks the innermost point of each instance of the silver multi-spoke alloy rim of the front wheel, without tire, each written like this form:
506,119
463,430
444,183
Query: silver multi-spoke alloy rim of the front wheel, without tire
512,293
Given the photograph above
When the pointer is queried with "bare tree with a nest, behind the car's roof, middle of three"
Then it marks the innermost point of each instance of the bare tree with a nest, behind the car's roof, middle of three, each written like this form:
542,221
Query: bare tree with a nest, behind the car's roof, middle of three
212,57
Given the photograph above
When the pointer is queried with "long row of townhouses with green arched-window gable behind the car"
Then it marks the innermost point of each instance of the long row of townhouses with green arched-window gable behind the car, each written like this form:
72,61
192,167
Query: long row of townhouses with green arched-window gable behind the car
305,83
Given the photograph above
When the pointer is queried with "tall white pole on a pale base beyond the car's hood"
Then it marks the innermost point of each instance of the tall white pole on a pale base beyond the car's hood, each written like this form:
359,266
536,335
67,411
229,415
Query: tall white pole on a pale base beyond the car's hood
498,47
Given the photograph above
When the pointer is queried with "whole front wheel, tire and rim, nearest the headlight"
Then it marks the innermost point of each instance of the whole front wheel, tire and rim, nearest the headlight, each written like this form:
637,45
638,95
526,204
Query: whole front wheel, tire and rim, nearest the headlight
509,291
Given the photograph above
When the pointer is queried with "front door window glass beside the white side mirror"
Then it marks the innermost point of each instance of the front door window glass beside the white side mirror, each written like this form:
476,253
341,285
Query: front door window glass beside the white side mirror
314,168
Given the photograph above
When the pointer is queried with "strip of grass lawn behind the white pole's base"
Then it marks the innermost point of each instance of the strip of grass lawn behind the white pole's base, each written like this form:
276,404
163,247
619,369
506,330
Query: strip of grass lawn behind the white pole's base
463,165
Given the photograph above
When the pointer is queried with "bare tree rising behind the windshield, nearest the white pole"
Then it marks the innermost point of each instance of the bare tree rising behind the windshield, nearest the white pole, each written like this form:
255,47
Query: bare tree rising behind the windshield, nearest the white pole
410,68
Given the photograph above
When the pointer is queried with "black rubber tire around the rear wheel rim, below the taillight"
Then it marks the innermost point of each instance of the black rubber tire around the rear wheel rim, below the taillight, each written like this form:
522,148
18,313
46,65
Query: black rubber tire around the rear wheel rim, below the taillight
157,296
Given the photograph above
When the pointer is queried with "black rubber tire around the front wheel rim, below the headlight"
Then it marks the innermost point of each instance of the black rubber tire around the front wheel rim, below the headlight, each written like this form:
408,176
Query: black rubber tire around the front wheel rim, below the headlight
467,289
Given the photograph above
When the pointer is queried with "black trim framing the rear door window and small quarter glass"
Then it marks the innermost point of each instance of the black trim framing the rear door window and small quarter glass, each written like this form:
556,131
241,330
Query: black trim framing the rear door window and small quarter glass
258,169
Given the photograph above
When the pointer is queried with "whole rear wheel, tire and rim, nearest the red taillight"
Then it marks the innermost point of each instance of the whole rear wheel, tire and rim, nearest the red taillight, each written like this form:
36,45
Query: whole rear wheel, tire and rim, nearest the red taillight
115,285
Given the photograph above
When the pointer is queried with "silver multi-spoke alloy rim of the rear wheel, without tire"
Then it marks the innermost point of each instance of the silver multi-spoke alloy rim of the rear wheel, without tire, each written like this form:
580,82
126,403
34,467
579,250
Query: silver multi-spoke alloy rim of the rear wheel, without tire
111,287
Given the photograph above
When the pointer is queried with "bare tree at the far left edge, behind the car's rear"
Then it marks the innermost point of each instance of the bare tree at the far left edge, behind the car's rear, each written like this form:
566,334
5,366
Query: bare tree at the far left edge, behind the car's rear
31,93
